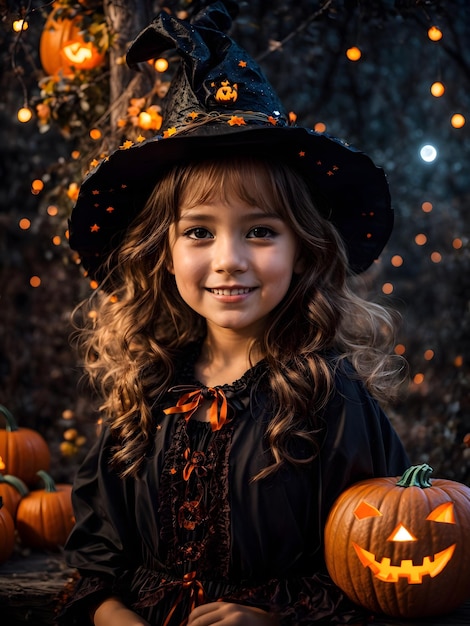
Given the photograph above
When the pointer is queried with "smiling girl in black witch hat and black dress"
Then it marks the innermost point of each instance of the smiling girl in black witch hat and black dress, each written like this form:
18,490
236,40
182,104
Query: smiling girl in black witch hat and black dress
237,368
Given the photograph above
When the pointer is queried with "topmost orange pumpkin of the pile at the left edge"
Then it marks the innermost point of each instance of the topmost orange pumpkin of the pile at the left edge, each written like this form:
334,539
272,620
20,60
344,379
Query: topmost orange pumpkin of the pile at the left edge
23,450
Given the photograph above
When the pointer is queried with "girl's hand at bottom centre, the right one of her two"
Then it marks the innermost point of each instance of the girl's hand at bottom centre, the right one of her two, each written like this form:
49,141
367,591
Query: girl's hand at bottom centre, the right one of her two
228,614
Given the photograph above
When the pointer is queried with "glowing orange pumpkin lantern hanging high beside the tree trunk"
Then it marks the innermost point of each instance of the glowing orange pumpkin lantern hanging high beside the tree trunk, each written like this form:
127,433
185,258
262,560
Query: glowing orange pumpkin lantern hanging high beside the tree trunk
63,46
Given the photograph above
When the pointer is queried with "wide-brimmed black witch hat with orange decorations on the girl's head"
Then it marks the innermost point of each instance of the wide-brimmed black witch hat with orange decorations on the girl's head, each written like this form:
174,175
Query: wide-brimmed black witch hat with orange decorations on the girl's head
221,103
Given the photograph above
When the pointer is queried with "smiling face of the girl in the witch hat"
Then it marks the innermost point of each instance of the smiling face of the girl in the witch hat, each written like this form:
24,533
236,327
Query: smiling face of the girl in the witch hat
233,262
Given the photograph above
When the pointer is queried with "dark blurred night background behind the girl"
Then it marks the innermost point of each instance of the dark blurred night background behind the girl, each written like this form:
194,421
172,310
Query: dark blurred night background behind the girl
382,104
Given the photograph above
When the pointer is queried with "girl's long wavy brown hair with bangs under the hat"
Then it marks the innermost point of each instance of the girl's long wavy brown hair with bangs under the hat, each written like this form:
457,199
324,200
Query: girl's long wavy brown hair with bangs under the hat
135,325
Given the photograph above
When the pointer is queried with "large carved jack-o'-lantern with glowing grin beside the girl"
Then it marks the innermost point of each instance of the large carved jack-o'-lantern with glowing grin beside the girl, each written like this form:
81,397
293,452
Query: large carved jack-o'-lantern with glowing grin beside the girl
401,548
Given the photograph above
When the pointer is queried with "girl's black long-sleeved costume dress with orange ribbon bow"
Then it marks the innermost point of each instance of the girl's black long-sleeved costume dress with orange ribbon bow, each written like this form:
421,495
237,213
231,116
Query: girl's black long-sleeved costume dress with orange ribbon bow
194,527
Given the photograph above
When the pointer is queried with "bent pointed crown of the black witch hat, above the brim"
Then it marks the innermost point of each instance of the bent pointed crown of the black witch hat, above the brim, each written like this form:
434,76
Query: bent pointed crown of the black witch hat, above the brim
216,75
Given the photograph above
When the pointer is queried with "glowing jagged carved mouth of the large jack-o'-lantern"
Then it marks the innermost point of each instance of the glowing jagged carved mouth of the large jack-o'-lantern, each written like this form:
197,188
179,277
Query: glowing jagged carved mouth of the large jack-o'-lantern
385,571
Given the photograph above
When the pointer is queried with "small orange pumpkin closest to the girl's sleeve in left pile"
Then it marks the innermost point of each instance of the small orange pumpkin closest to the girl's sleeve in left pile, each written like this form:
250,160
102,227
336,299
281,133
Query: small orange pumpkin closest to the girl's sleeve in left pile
44,517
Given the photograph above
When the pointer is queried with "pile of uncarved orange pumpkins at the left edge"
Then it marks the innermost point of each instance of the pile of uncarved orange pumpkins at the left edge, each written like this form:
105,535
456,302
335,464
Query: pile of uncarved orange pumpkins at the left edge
42,518
